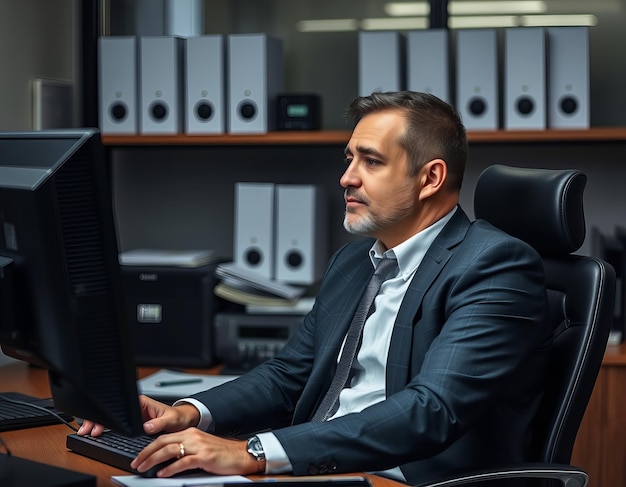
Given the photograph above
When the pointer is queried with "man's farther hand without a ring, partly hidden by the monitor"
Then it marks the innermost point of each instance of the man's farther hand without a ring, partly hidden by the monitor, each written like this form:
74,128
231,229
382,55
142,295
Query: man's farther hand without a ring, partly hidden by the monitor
157,417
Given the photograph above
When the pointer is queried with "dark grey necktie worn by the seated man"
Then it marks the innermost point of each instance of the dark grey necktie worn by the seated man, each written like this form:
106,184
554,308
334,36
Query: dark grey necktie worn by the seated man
353,338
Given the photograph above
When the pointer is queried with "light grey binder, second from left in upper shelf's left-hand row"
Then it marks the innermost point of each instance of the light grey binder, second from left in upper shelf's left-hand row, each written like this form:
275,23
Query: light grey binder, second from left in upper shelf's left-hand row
161,85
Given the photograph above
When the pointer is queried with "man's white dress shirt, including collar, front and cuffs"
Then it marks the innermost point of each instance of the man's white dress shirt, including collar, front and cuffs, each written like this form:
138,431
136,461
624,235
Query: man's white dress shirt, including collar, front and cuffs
367,385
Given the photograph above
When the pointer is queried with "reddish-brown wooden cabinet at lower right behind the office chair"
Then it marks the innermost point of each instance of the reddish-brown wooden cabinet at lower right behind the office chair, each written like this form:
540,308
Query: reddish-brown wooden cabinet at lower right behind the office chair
600,446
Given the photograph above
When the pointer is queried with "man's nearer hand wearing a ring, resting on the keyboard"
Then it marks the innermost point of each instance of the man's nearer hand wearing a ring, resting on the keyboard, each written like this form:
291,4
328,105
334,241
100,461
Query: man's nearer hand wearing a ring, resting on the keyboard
195,449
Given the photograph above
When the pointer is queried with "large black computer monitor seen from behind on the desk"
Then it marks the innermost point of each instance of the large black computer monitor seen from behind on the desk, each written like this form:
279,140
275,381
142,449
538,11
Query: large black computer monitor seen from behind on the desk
61,304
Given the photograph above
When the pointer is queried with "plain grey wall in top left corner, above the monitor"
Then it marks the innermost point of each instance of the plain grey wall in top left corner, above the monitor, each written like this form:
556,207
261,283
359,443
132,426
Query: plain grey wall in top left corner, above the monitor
36,41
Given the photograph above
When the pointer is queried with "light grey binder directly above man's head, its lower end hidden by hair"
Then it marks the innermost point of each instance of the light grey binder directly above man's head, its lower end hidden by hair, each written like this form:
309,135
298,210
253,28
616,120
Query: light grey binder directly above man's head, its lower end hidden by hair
428,62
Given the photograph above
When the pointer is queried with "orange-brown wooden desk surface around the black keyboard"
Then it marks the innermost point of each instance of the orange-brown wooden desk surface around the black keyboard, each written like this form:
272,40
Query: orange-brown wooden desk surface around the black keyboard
47,444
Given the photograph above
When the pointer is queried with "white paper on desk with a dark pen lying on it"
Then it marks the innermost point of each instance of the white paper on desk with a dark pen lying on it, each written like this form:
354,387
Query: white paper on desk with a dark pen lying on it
189,383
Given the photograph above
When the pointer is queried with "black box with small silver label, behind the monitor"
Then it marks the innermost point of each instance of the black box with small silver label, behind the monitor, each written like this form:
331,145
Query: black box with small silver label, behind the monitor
170,311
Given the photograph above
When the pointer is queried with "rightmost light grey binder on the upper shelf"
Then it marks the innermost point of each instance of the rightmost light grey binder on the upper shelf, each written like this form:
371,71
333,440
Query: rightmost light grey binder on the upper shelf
568,77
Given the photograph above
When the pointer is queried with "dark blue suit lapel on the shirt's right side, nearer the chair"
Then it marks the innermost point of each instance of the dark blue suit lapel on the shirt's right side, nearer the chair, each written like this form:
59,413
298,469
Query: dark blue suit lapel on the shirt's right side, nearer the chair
398,361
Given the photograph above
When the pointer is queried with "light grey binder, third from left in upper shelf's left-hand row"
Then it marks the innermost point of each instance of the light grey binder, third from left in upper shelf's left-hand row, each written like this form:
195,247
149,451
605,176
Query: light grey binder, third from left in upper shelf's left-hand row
205,93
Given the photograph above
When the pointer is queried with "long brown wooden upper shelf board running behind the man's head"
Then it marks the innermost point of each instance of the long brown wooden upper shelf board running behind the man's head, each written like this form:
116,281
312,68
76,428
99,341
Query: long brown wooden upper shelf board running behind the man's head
598,134
